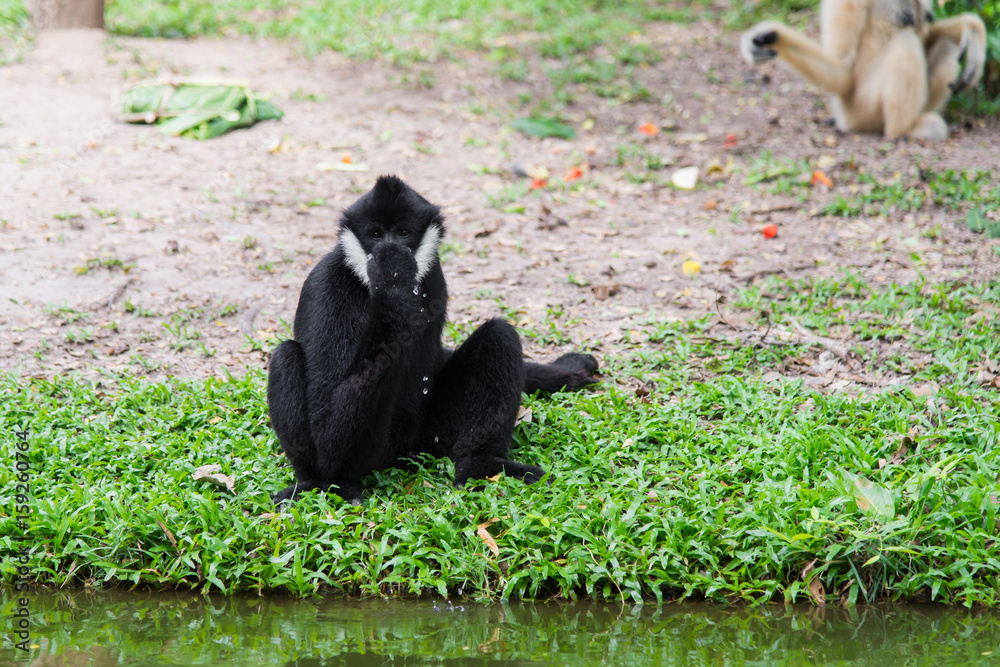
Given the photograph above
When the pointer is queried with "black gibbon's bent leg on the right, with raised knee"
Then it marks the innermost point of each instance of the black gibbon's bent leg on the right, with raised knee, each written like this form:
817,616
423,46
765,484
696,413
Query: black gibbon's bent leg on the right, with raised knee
473,406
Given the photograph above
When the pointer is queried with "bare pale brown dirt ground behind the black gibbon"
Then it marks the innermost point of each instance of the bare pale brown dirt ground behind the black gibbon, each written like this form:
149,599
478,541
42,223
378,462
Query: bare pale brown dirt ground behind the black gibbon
126,250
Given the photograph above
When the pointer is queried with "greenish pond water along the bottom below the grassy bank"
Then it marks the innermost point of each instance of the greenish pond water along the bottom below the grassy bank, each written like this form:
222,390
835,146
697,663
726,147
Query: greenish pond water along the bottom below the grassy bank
142,628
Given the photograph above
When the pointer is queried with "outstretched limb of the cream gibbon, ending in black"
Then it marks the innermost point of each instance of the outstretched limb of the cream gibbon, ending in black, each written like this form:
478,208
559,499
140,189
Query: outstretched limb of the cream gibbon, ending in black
769,39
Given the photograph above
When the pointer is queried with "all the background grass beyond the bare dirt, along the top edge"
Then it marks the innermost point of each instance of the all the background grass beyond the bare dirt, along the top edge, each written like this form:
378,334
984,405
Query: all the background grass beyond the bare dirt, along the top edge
564,32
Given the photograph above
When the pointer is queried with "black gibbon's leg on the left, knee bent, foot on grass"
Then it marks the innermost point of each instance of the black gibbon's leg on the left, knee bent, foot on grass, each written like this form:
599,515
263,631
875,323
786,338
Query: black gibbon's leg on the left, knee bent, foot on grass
287,405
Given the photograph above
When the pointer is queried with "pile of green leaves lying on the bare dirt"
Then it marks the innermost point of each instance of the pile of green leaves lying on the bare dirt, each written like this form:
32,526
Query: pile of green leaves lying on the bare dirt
197,110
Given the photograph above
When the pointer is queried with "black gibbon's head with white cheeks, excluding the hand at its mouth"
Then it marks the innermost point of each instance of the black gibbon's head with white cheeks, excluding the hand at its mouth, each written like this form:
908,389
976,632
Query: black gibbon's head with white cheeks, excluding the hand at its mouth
391,212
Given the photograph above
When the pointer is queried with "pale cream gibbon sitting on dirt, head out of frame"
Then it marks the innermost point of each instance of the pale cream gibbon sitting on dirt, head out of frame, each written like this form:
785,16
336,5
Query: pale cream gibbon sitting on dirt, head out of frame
888,64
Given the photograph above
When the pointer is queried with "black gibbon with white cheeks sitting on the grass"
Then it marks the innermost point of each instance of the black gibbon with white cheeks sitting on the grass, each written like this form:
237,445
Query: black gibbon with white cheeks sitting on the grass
366,381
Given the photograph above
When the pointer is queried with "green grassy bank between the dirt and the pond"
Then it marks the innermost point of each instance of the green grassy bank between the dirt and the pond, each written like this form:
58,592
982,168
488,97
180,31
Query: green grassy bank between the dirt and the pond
697,469
